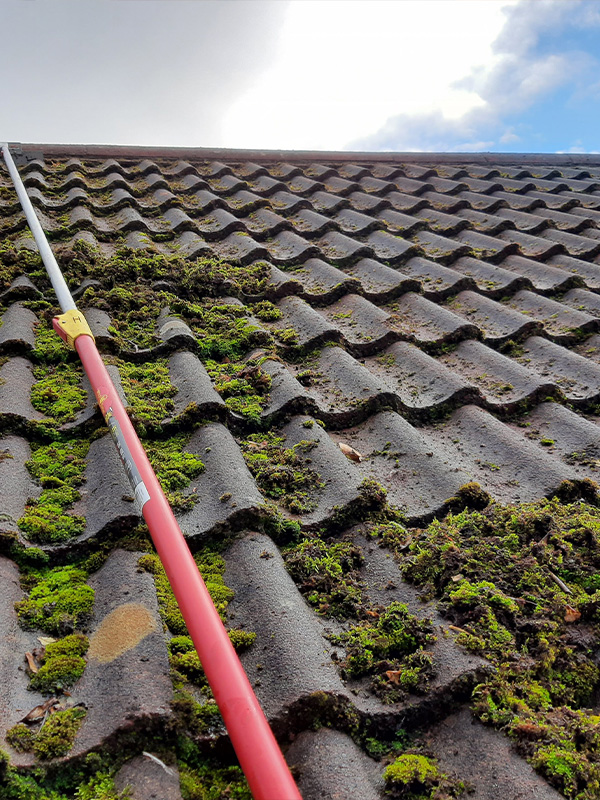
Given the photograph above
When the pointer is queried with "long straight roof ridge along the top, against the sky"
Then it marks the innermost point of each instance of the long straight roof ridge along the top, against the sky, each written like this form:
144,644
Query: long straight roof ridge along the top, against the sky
232,154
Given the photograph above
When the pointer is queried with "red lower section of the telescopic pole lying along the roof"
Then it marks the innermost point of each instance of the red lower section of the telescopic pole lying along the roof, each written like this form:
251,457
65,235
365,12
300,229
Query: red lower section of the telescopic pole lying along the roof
257,750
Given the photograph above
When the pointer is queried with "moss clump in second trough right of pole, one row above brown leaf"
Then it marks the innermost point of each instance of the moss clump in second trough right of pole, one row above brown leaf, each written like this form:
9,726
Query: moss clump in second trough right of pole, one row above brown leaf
244,386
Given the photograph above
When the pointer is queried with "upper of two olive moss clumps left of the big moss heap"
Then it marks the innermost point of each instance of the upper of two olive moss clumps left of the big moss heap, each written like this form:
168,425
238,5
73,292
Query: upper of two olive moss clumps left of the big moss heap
327,574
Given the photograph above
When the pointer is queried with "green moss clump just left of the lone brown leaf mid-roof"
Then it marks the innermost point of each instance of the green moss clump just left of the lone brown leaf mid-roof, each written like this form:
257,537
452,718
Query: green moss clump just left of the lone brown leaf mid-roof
282,473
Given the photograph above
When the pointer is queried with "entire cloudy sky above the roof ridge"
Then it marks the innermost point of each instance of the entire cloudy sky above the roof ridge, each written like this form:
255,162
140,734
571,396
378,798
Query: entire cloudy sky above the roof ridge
380,75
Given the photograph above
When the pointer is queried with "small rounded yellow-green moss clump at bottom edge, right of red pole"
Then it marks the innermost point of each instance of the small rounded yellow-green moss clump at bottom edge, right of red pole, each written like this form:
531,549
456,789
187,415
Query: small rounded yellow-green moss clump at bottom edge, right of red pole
417,777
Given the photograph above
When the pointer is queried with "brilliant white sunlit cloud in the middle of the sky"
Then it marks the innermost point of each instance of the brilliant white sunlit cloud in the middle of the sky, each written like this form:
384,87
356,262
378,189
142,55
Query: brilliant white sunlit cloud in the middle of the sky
344,68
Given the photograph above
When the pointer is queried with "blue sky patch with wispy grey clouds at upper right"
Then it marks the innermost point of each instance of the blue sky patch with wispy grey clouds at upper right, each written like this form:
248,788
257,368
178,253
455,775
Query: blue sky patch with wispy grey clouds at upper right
518,74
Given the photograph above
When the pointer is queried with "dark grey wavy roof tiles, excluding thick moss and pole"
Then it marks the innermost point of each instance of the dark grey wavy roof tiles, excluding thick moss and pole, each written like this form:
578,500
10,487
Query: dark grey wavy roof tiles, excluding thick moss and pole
441,308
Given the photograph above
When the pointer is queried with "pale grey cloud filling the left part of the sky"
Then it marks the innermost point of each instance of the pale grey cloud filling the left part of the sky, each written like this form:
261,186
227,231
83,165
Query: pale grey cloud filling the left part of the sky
136,72
